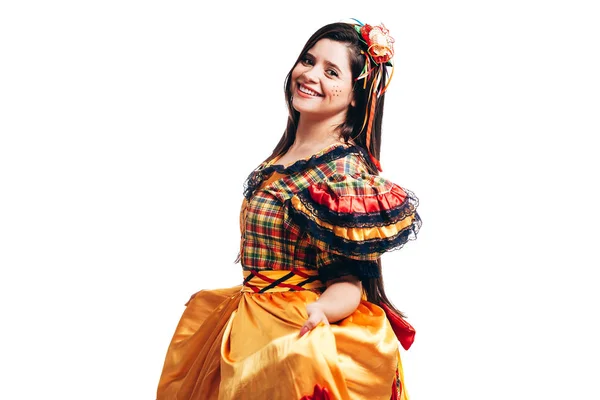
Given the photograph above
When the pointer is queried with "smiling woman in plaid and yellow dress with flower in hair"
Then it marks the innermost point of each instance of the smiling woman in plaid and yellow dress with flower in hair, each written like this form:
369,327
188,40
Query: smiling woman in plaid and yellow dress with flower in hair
311,320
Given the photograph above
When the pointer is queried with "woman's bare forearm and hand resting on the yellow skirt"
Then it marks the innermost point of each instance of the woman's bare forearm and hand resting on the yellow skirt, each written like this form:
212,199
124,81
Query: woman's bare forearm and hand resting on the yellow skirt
340,299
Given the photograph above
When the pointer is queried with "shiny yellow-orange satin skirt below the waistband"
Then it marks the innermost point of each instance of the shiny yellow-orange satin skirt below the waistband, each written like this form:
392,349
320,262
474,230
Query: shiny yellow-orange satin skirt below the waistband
236,344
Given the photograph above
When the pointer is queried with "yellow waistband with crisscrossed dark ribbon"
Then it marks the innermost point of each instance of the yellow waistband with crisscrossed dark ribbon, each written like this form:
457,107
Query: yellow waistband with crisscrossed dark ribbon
296,279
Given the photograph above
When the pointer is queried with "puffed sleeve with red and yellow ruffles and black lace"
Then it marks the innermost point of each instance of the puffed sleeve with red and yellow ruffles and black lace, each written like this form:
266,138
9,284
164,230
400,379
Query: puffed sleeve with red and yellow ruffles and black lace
353,219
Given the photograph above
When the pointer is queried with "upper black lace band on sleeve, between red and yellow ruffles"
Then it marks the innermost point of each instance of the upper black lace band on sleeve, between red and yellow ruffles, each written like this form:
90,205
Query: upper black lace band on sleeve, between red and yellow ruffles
361,220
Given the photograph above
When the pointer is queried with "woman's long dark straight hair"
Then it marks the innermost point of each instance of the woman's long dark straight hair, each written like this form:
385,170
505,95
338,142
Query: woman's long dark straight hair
352,129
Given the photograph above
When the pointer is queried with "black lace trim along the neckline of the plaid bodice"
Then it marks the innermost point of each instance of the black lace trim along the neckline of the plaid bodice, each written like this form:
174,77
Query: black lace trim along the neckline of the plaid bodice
258,175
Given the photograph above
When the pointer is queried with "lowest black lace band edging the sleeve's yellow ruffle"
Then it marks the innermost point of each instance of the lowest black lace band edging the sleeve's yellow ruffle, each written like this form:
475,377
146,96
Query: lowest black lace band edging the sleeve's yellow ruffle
351,247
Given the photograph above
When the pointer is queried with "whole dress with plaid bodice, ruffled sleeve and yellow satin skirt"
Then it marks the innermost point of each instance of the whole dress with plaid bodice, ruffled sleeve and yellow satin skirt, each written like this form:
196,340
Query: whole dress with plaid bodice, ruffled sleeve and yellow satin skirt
301,225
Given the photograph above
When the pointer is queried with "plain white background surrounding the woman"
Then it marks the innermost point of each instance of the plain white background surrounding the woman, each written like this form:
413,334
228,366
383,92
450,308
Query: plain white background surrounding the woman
128,128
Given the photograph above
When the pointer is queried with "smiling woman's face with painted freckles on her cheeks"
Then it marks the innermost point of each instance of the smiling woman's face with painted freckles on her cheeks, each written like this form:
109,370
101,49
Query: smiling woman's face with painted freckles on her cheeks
321,83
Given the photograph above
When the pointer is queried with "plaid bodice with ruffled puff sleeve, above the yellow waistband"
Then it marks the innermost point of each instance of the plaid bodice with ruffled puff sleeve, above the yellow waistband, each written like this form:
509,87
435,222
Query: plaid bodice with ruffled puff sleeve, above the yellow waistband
325,213
